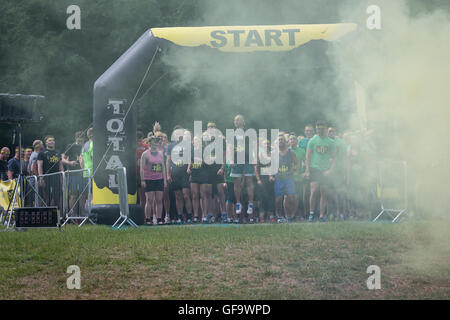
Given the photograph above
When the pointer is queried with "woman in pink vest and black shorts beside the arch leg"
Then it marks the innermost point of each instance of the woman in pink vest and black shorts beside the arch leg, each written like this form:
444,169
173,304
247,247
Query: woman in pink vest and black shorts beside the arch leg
153,179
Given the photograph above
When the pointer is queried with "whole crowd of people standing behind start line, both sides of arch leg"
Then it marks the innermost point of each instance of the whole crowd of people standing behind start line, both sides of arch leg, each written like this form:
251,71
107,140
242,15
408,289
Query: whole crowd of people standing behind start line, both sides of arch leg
321,175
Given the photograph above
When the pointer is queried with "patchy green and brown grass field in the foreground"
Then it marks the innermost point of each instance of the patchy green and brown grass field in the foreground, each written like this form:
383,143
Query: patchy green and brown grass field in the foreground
287,261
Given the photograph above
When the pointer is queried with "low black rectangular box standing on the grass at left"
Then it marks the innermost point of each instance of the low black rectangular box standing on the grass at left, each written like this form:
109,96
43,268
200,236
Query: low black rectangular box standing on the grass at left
47,217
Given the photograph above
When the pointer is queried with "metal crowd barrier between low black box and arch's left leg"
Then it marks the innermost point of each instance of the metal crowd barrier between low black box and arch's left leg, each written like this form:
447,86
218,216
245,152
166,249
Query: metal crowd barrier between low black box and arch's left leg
78,196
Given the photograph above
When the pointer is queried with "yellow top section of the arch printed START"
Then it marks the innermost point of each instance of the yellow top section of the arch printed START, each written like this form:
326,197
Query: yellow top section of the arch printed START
253,38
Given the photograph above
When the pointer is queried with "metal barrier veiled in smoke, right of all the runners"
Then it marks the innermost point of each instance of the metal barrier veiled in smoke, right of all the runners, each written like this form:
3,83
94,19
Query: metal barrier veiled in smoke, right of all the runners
392,188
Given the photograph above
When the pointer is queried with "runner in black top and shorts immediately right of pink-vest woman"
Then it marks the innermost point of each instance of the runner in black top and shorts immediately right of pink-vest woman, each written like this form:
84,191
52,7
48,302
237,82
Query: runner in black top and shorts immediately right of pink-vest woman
177,176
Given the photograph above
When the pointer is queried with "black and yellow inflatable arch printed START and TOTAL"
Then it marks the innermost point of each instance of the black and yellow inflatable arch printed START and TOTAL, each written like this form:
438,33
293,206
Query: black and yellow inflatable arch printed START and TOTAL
114,113
